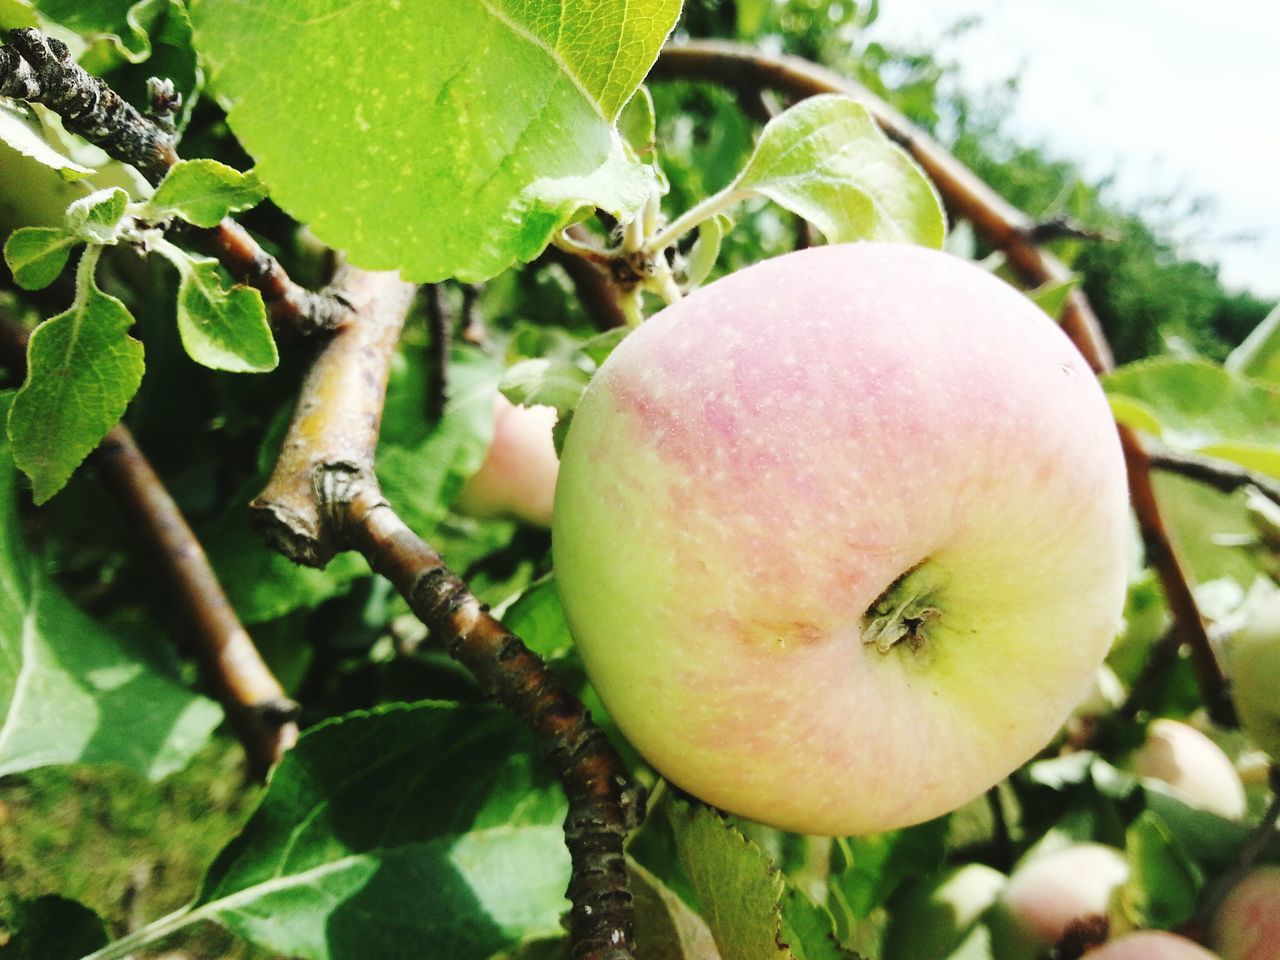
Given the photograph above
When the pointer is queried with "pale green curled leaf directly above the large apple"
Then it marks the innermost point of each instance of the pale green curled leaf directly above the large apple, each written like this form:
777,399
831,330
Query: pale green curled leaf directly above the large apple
828,161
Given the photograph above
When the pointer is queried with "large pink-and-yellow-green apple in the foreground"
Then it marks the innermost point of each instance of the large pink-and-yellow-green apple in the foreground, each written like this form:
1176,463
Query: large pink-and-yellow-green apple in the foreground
753,469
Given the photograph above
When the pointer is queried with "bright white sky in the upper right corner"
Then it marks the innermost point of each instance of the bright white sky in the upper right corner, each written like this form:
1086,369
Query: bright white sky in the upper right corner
1171,95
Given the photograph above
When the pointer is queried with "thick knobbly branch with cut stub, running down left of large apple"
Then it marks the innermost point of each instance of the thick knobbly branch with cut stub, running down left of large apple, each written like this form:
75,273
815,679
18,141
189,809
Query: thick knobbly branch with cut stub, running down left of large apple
324,497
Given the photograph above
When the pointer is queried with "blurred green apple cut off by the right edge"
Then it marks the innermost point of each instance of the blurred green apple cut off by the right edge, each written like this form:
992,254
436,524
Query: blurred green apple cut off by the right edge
1254,659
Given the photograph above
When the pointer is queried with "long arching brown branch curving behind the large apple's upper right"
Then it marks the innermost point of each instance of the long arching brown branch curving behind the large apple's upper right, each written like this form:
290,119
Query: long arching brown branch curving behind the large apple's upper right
1009,230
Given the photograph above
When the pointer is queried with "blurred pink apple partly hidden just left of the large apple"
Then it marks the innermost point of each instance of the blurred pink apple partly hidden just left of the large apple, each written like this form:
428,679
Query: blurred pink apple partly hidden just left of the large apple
518,478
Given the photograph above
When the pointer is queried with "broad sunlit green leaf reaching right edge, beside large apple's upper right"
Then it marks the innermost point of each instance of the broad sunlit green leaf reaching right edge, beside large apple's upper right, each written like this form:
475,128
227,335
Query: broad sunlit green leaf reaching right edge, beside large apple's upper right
1197,408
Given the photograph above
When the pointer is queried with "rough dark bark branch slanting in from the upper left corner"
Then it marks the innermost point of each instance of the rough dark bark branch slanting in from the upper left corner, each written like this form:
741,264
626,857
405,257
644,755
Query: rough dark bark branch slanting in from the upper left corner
42,71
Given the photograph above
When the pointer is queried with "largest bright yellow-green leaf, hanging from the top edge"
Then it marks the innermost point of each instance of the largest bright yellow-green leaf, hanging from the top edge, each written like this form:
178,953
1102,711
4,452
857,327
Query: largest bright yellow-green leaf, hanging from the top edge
463,147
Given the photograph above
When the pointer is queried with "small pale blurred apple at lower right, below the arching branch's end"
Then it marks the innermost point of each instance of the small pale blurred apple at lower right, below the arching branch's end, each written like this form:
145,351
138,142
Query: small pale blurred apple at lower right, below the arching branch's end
1194,766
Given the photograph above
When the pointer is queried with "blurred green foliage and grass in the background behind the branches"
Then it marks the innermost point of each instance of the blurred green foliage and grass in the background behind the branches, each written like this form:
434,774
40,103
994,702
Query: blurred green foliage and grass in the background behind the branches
341,641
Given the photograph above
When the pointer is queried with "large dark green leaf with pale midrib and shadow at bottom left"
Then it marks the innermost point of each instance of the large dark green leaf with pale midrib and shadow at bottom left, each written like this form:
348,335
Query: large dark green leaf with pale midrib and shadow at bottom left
431,815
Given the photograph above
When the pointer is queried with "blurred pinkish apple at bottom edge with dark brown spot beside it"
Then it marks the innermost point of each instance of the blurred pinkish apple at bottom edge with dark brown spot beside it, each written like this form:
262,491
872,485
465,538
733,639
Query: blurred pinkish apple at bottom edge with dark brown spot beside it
1050,893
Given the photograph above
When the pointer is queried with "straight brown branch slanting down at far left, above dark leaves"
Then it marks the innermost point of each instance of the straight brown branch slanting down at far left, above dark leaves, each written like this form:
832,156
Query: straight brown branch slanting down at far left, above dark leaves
254,701
